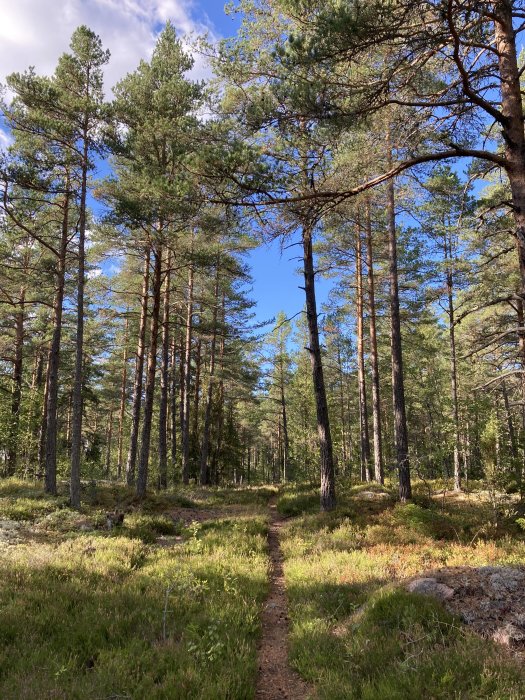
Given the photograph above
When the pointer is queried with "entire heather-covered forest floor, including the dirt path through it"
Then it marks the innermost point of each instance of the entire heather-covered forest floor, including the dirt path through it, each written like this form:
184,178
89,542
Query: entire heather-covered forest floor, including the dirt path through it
215,594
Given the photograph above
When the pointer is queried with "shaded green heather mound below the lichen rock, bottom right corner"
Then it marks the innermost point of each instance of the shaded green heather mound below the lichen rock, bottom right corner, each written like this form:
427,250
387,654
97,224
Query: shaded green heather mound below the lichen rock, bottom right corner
406,646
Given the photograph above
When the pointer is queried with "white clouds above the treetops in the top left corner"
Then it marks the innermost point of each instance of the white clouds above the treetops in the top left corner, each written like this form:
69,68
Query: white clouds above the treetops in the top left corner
37,32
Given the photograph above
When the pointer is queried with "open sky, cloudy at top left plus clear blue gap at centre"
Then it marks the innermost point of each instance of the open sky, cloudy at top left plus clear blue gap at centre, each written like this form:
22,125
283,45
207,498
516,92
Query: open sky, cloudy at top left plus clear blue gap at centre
36,32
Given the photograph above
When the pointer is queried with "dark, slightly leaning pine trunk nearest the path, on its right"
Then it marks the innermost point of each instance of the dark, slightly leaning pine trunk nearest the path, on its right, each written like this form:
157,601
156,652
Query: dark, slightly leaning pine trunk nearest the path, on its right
323,423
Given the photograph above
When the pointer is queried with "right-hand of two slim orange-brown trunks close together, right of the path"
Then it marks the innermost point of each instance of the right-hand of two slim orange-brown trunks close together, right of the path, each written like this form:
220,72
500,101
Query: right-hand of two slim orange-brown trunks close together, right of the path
374,356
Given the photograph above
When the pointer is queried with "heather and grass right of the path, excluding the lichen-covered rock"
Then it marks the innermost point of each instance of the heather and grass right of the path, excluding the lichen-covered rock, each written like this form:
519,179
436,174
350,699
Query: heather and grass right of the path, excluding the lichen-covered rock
354,634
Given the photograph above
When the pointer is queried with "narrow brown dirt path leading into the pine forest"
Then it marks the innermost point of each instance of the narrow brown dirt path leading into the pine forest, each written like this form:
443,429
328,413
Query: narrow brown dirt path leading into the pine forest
276,679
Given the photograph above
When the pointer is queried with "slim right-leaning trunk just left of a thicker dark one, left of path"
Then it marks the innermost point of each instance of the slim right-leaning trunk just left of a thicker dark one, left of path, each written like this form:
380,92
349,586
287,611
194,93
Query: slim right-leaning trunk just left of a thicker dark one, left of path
139,371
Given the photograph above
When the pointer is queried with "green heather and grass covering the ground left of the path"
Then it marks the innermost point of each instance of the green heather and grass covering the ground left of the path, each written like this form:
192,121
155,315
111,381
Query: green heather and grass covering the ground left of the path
109,615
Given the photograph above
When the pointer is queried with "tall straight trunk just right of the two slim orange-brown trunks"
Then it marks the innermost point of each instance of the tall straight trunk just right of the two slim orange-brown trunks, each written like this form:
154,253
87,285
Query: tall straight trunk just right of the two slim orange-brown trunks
398,388
